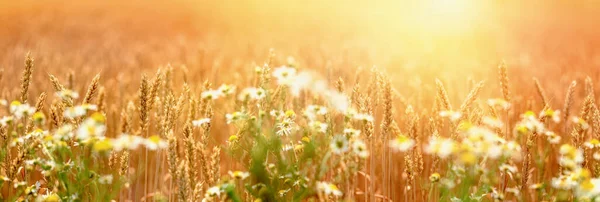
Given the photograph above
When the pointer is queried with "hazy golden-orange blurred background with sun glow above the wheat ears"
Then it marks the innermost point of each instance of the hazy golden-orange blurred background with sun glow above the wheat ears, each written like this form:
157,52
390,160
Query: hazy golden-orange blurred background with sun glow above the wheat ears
413,40
